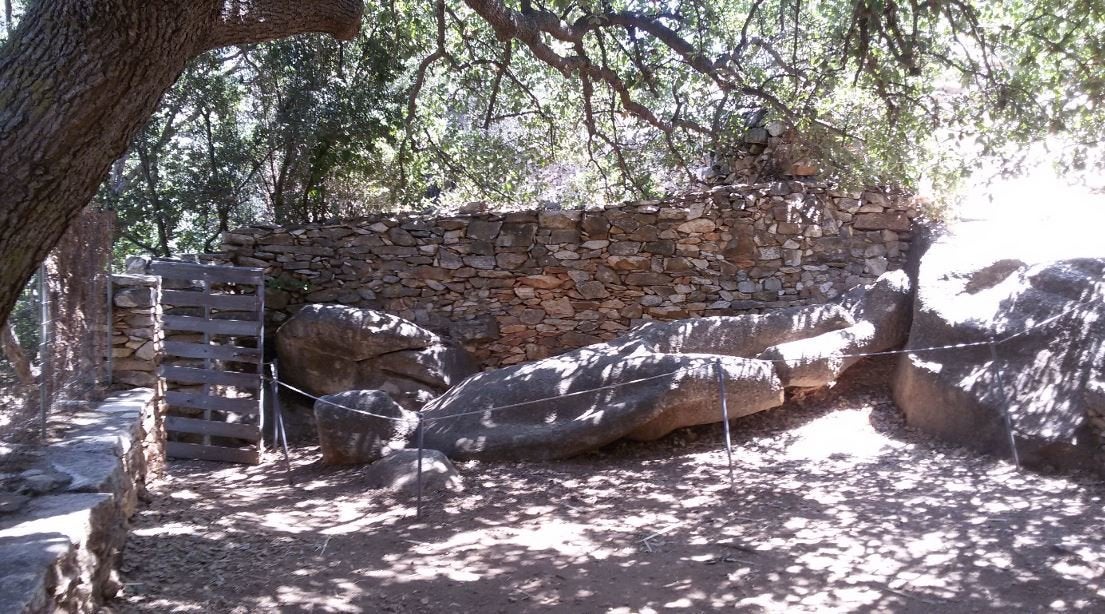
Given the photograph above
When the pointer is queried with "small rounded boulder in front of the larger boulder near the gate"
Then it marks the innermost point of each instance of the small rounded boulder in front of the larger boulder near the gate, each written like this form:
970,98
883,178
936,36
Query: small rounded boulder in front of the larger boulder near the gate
362,427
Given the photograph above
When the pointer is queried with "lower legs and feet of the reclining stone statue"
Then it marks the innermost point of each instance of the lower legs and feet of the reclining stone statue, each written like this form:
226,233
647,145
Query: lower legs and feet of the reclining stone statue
881,313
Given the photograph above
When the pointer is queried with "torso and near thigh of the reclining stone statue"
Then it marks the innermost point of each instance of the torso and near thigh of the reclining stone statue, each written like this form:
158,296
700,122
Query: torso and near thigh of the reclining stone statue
564,406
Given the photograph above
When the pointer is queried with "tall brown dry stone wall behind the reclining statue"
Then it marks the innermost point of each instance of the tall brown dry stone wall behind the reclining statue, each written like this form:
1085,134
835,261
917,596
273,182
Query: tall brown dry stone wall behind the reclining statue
524,285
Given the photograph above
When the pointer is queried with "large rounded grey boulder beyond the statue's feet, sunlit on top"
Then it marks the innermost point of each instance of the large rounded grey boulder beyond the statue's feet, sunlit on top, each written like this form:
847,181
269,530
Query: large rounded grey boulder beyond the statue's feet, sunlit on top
1046,313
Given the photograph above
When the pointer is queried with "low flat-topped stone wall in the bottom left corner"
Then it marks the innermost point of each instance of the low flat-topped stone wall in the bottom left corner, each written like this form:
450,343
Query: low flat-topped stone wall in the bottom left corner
67,506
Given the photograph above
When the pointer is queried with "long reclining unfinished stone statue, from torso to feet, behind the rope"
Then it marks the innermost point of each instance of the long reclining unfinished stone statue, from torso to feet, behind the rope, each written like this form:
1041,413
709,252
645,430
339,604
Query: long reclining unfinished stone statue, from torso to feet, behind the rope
662,377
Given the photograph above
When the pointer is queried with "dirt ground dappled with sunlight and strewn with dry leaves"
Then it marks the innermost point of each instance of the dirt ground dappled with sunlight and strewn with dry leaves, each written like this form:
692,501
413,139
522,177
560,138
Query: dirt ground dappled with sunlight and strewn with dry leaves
837,507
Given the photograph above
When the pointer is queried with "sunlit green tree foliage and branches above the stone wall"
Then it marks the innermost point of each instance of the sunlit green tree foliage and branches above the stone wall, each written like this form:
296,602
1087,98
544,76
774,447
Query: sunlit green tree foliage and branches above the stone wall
565,101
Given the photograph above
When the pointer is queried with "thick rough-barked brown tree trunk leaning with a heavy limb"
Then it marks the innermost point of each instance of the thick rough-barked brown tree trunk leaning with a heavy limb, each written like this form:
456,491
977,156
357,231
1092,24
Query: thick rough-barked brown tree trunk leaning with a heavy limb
80,78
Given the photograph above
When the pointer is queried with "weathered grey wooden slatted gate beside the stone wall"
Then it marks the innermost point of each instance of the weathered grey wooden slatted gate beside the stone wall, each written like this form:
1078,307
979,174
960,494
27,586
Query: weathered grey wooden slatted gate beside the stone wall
223,420
